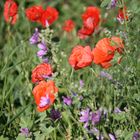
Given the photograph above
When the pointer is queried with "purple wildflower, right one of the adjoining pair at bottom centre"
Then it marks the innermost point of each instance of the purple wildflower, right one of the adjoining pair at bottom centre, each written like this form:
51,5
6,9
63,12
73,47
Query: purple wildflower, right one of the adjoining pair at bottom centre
95,117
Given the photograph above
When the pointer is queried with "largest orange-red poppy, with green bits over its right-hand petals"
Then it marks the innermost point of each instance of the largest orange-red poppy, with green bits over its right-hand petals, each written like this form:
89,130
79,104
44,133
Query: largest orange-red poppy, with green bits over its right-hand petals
105,50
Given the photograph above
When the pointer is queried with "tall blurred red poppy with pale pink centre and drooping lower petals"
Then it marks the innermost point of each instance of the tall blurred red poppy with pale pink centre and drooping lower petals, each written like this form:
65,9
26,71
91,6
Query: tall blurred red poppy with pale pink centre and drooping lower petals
91,19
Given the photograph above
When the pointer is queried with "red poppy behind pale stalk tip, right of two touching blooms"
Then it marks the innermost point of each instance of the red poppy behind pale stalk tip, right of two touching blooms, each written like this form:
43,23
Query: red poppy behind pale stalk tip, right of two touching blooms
49,16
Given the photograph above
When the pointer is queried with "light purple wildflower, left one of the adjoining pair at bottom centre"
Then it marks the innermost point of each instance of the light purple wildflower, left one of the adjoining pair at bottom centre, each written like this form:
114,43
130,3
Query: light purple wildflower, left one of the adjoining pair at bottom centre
85,117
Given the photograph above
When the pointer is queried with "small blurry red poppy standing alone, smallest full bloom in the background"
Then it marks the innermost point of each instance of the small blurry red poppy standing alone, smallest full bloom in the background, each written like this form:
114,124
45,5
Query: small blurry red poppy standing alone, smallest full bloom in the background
68,25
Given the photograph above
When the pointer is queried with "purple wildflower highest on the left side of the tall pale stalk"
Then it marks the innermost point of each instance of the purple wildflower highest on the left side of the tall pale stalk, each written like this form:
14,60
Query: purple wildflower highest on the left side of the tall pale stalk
35,37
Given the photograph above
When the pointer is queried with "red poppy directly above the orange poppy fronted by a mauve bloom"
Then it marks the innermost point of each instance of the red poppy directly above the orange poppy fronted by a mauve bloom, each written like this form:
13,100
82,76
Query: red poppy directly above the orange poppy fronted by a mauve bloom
40,72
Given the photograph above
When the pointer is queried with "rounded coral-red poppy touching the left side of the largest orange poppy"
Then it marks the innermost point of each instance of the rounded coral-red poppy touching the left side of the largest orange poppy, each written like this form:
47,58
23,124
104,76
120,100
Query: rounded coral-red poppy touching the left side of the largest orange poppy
80,57
